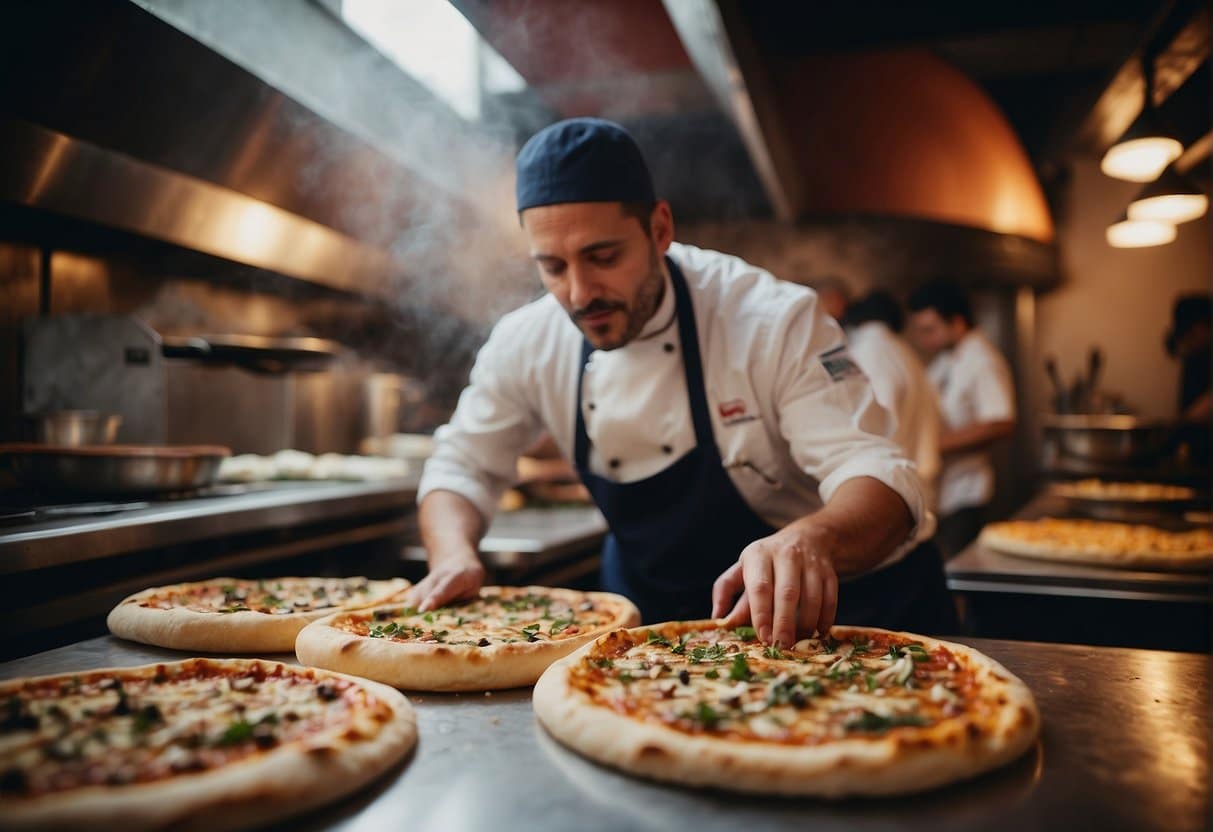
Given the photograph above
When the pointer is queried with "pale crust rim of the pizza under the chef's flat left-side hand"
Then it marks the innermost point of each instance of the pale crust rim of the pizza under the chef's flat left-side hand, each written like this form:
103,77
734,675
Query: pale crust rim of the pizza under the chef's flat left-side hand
449,668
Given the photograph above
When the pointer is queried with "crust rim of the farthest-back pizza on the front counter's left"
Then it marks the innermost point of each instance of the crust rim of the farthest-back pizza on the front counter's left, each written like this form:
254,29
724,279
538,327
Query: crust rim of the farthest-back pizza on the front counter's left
183,629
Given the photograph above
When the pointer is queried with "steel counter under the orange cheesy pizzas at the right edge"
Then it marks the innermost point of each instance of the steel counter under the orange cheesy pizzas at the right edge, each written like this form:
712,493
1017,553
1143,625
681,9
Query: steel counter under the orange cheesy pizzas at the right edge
981,569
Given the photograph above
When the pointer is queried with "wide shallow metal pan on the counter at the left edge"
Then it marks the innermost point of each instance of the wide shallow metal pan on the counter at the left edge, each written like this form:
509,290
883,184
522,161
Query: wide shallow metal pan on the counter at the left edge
115,470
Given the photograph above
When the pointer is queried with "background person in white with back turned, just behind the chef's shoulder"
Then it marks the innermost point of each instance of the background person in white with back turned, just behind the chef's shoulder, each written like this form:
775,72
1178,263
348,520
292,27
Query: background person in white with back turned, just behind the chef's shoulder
899,381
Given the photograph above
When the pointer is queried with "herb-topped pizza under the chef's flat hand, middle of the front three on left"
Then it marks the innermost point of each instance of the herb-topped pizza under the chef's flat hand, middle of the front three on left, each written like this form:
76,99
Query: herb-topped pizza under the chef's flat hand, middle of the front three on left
504,639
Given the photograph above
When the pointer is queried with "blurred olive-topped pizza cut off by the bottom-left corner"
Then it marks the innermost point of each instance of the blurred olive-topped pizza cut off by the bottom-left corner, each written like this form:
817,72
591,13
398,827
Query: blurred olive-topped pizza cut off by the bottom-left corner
200,744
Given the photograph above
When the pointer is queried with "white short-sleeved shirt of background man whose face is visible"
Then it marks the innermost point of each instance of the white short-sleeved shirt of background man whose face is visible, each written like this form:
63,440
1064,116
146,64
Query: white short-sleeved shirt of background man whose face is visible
975,385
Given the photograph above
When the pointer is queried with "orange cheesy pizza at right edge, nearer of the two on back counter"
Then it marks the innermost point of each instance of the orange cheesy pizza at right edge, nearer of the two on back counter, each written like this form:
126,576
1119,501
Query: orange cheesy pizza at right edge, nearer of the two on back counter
1102,544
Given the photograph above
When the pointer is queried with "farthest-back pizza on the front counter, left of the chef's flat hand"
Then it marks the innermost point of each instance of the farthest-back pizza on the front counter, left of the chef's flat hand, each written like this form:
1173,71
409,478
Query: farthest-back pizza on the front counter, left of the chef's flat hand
240,616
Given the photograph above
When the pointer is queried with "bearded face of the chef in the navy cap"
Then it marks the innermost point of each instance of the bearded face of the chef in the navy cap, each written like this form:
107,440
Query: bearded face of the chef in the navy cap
601,265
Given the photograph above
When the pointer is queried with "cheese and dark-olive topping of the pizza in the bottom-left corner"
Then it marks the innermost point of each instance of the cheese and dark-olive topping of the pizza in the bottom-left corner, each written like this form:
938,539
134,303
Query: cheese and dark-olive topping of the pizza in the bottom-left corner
113,728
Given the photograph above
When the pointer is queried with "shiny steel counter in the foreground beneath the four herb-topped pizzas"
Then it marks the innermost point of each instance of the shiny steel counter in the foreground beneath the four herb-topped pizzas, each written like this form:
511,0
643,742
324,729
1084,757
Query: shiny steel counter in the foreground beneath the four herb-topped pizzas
1125,745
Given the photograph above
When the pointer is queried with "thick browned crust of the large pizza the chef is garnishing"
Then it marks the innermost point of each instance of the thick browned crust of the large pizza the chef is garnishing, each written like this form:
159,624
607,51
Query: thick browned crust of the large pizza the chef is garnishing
901,763
